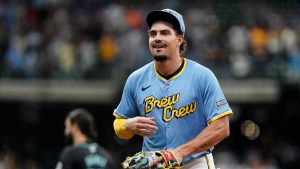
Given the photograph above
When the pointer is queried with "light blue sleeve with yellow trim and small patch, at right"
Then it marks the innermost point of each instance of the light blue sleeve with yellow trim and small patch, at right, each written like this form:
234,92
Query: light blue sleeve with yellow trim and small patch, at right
215,104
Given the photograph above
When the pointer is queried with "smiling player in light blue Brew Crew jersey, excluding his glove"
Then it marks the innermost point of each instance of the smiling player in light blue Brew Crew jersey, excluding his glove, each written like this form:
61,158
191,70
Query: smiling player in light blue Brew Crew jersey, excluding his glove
173,102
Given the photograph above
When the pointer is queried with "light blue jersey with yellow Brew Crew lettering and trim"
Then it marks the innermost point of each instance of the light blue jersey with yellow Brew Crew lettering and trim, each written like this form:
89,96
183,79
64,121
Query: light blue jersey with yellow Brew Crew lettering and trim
182,106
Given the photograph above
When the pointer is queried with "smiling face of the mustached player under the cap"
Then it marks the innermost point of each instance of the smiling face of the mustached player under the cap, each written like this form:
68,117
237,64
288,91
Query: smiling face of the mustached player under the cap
163,40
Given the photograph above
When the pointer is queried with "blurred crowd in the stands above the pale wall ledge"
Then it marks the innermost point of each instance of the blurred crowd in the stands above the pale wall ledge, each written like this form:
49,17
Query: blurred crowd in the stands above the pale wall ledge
42,39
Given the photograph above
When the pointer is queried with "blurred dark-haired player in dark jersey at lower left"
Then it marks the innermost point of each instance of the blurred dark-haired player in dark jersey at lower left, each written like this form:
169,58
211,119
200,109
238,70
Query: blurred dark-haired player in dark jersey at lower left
85,152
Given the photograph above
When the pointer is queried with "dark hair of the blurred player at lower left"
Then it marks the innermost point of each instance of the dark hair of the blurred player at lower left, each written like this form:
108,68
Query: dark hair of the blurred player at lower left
85,121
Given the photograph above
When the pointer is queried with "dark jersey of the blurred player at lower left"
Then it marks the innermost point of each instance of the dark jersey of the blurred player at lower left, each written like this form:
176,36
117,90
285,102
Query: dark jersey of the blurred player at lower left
85,156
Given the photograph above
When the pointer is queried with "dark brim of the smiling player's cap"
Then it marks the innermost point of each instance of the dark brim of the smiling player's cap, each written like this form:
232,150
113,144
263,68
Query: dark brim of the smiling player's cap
154,16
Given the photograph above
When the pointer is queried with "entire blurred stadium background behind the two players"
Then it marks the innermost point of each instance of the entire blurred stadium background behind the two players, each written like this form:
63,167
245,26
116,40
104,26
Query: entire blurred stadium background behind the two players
59,55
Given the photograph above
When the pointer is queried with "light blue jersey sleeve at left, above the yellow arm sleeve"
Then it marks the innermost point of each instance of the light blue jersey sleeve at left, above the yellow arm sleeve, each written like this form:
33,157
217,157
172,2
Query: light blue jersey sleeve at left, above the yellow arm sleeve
127,107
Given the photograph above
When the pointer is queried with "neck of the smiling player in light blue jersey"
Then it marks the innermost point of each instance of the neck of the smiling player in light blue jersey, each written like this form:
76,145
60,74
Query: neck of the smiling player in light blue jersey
168,66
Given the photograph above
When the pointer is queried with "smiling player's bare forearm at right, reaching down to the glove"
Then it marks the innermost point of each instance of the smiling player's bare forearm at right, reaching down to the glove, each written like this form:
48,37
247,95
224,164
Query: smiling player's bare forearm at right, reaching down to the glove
209,137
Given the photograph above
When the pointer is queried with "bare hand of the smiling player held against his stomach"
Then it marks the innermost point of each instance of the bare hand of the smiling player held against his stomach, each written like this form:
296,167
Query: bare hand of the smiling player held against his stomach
143,126
